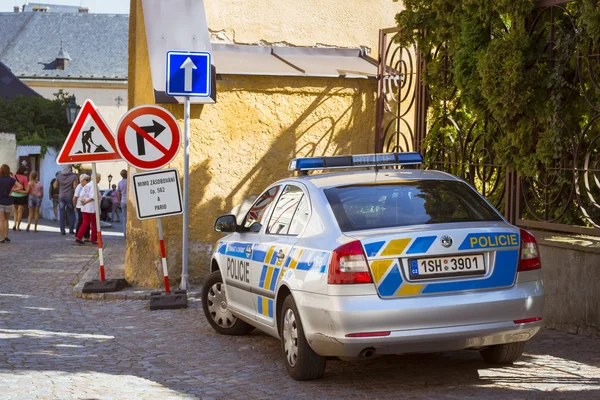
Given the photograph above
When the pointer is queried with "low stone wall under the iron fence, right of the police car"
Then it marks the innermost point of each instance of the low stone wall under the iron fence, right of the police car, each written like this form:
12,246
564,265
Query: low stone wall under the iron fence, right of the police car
571,270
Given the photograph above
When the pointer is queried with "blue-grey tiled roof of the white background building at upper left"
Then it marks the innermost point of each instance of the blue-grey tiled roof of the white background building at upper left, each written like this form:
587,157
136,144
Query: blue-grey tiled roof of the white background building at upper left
96,43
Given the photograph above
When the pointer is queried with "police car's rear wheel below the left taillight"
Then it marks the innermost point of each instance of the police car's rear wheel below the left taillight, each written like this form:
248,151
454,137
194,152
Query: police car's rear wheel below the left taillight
301,362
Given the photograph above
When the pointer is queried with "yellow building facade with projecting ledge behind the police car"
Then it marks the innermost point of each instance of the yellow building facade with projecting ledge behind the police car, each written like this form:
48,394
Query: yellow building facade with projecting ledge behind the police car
262,117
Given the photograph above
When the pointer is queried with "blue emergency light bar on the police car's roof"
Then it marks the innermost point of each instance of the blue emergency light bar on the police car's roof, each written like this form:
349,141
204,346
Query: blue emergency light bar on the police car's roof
357,161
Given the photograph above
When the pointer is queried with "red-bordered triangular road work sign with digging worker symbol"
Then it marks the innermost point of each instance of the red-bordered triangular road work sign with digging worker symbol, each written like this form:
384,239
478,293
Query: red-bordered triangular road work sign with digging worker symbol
90,139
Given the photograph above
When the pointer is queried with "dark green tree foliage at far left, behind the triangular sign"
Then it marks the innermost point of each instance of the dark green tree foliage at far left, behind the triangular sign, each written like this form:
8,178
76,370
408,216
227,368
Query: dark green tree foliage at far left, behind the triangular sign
35,120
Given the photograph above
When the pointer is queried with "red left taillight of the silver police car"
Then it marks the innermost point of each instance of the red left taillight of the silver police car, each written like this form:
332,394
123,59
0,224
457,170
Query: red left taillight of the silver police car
349,265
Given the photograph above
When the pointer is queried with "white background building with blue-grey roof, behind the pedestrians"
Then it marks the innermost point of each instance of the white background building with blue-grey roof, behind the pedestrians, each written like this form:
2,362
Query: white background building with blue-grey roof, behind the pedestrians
83,54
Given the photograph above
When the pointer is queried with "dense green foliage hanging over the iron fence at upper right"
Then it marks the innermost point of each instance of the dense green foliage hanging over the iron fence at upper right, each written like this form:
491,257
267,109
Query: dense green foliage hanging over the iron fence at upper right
484,63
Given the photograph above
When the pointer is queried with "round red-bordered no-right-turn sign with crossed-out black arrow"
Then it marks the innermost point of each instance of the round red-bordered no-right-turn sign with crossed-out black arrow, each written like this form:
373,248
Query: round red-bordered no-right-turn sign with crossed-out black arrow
148,137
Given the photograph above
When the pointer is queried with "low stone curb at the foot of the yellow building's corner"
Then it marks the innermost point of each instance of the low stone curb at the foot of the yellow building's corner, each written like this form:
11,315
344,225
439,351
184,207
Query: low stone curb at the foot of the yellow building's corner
90,272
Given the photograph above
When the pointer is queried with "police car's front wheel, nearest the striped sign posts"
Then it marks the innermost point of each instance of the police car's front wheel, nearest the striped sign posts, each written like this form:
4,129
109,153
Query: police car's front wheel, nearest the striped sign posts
214,305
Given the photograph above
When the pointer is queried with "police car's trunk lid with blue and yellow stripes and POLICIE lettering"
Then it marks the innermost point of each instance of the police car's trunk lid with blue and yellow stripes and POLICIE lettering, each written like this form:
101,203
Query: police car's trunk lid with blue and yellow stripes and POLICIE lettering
447,258
